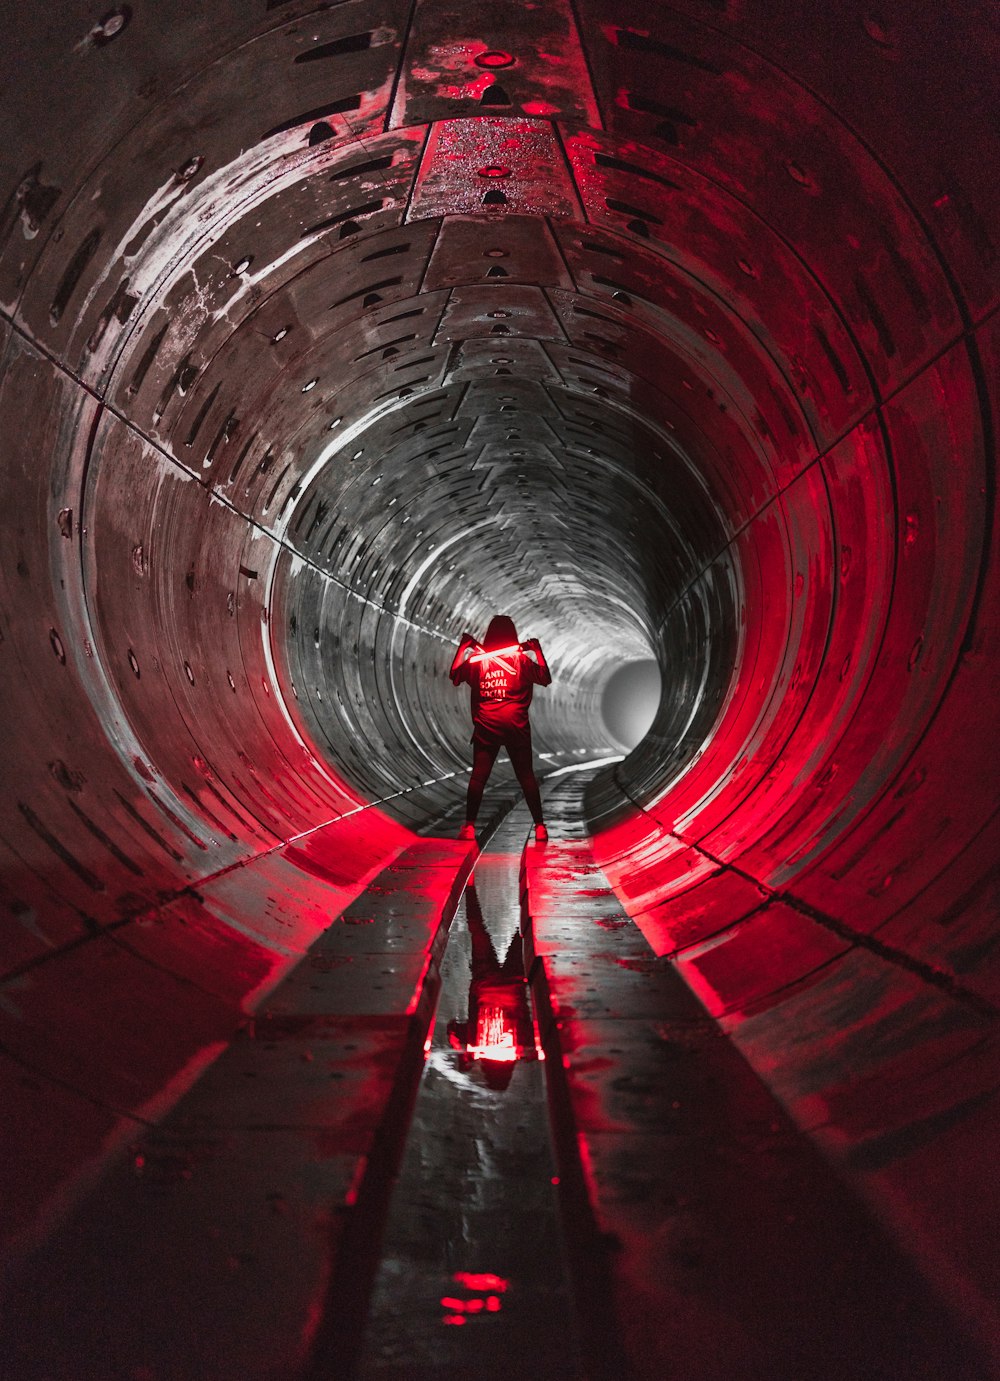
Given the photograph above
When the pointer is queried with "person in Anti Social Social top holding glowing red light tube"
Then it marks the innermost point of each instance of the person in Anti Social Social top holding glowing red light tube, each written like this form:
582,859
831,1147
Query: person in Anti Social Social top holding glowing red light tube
502,675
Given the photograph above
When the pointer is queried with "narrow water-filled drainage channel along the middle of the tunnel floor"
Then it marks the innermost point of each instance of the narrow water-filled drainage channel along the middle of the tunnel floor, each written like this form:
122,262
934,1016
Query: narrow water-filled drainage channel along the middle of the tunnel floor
473,1279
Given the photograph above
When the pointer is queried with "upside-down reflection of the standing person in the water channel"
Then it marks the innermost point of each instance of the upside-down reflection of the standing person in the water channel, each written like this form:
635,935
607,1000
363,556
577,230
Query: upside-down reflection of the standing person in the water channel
499,1030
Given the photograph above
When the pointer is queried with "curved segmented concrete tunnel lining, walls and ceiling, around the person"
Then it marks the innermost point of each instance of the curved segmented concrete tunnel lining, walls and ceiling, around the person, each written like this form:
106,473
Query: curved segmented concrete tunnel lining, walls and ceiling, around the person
668,329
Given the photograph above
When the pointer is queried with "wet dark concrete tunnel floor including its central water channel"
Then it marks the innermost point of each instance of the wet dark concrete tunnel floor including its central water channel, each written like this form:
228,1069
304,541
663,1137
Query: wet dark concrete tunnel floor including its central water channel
694,1234
